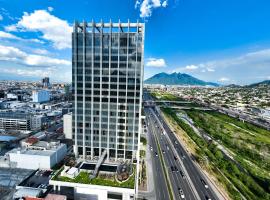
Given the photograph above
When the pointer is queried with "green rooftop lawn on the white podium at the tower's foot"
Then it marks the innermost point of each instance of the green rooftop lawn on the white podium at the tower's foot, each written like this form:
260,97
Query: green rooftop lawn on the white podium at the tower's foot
105,180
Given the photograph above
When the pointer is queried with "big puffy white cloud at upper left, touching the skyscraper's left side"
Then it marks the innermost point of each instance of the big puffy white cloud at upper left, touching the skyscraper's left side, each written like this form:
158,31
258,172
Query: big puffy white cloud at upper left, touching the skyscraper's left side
53,29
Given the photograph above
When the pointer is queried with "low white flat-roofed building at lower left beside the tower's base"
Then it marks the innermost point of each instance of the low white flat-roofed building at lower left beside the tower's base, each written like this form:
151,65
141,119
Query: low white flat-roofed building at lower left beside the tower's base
41,155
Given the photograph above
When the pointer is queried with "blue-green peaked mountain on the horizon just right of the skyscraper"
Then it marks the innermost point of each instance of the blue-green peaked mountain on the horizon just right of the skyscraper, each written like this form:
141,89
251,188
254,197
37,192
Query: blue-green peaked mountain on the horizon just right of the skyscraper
177,79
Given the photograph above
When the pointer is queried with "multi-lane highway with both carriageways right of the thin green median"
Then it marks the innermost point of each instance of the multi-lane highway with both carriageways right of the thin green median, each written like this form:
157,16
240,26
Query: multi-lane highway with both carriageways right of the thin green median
186,179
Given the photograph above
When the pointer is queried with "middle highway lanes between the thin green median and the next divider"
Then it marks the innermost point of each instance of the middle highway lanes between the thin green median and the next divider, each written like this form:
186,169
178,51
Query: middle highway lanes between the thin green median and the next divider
178,182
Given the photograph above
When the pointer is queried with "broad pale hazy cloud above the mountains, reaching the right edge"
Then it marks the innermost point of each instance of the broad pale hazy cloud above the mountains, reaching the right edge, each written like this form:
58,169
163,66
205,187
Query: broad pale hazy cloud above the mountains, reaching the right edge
241,69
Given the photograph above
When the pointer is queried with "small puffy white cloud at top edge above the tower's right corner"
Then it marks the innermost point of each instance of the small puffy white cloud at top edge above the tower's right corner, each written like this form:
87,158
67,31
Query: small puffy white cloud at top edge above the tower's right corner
147,6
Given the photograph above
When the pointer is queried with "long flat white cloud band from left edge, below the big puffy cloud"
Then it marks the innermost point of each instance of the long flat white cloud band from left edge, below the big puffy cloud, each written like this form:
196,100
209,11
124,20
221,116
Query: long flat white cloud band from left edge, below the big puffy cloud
8,53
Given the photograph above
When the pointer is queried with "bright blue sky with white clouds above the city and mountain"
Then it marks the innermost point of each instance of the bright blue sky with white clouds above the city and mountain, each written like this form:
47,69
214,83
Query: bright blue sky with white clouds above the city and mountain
225,41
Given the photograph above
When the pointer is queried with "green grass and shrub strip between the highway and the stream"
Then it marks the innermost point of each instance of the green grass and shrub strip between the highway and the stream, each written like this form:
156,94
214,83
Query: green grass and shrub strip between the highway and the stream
244,183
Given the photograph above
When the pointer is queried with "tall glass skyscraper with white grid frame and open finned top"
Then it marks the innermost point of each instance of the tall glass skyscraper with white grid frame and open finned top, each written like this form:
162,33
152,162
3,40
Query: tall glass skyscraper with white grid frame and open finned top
107,82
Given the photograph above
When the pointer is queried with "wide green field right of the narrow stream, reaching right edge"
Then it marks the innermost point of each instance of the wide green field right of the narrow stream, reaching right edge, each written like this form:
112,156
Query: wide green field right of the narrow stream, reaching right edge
250,143
